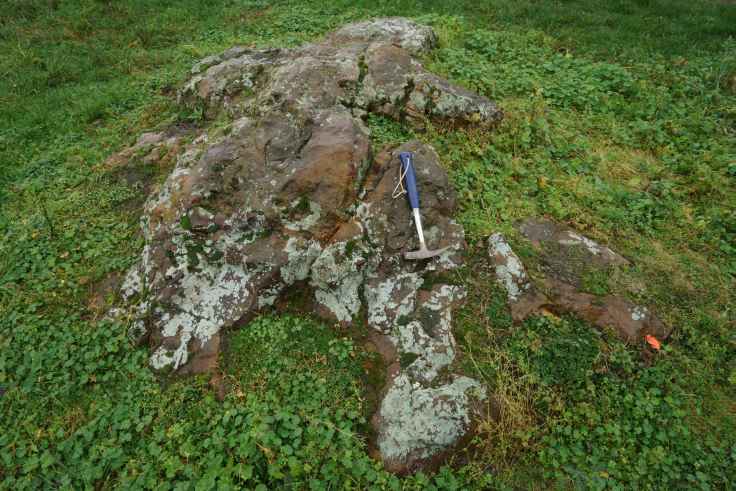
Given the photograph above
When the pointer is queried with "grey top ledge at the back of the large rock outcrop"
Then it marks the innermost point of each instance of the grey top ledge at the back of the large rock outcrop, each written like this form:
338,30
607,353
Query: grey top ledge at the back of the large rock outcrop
366,67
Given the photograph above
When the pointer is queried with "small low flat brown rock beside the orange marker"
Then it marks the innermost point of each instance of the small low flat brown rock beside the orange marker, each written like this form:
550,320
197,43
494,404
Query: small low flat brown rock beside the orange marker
565,256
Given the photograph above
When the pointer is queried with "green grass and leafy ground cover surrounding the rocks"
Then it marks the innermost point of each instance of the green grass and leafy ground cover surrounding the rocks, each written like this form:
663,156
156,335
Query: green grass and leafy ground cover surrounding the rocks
620,120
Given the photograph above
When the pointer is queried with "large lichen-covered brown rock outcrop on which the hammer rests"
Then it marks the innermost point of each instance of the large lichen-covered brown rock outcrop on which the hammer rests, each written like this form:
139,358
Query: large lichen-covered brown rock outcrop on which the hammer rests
289,192
